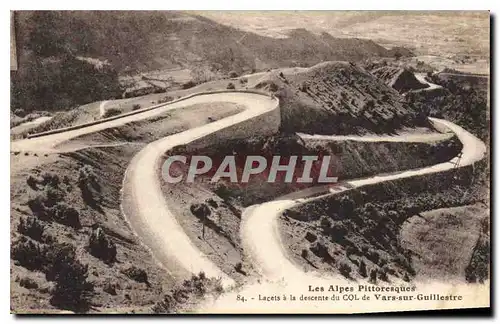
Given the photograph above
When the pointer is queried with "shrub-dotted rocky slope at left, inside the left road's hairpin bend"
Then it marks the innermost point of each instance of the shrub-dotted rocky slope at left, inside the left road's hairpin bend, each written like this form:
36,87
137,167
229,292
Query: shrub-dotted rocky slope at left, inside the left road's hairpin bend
66,208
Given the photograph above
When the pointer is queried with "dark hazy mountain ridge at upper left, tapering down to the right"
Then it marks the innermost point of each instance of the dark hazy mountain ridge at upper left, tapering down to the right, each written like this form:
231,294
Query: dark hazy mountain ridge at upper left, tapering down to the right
134,42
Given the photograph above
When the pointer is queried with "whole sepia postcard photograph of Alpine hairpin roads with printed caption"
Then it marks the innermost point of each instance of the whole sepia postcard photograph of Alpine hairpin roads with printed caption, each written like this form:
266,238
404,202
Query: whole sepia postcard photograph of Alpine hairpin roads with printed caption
249,162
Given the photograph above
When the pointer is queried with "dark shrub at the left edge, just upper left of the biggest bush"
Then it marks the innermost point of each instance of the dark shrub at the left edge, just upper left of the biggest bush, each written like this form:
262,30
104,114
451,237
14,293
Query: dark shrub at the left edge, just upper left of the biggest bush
28,253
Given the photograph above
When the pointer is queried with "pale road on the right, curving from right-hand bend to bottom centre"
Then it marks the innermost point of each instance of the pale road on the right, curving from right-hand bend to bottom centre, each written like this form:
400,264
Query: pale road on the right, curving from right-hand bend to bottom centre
259,231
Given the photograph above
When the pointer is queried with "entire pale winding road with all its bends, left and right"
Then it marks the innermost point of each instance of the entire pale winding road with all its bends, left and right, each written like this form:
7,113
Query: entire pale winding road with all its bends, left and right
145,208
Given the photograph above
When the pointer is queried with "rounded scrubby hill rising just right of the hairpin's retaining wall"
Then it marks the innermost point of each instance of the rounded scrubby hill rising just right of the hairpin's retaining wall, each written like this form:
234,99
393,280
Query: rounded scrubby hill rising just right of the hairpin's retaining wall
338,98
